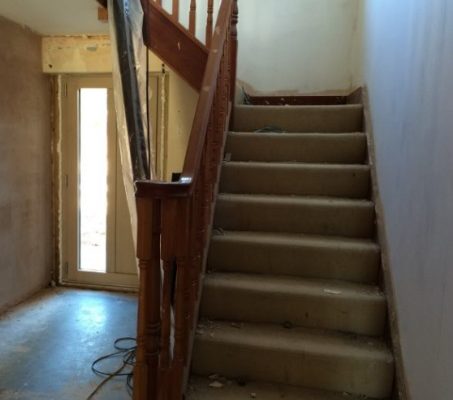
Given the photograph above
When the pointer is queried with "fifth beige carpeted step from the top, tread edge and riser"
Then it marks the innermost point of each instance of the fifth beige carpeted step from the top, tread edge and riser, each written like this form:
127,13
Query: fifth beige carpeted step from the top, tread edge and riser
297,255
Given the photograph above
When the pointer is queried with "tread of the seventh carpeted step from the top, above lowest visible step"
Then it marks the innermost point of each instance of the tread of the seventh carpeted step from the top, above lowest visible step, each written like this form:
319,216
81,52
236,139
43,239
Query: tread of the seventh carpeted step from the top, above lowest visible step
268,337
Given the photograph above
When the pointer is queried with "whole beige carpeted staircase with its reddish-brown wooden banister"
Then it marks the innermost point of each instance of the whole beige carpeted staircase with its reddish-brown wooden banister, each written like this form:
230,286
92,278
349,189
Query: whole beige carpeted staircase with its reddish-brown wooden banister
291,305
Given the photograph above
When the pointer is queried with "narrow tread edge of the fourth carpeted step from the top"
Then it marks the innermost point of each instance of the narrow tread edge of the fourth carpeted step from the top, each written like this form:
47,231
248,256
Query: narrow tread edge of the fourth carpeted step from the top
295,199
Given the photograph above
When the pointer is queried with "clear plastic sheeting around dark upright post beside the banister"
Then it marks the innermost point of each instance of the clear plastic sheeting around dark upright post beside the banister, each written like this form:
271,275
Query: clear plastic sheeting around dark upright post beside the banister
129,77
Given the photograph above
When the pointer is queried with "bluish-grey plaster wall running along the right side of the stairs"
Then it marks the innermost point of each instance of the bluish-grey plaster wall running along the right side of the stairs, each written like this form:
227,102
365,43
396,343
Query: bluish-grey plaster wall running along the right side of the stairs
409,73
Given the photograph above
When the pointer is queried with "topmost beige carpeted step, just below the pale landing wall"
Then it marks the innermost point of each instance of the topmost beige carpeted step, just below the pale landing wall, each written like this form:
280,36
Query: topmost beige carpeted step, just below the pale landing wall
331,119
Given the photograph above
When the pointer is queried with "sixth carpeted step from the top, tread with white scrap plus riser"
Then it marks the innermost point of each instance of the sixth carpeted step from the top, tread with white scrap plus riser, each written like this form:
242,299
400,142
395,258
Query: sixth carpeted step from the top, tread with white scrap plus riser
335,305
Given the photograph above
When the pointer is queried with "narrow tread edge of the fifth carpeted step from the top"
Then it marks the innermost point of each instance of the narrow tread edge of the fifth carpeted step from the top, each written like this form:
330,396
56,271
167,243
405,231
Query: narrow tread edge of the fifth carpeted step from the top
296,238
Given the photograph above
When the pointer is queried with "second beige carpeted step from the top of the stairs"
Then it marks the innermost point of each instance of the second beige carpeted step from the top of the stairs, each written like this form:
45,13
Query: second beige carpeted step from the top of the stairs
347,148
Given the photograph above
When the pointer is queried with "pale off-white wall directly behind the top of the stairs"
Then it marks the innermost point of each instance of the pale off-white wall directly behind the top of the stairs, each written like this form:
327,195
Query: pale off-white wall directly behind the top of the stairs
304,46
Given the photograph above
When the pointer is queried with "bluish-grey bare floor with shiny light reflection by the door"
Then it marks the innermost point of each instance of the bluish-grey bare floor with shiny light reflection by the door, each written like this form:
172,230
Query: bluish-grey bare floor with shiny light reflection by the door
48,343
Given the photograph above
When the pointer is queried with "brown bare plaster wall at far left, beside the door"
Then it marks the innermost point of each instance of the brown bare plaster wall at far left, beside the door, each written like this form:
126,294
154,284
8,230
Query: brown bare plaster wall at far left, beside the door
25,170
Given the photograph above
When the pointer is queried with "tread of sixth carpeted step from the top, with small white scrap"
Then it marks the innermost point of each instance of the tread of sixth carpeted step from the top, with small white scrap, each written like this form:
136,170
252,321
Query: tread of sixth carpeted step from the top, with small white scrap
295,285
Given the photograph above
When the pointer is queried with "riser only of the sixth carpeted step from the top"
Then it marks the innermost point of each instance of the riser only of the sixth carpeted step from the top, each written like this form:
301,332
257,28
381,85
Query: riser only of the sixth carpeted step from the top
315,310
